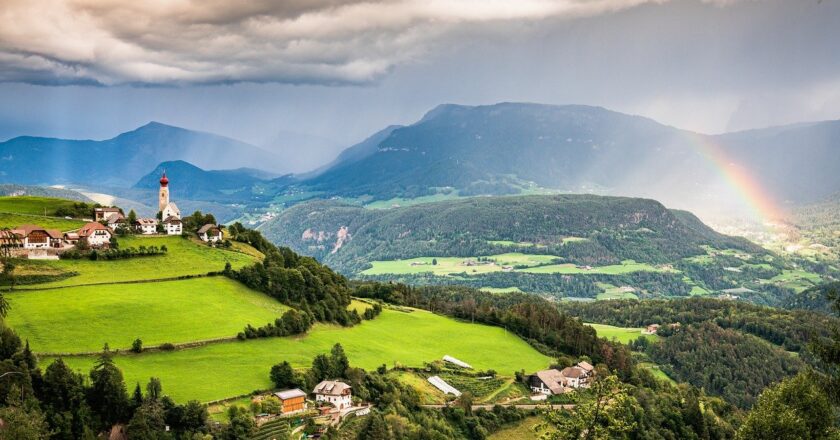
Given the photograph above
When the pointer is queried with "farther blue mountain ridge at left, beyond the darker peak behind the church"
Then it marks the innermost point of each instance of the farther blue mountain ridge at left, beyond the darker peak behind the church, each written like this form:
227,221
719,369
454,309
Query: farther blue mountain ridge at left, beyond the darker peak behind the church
124,159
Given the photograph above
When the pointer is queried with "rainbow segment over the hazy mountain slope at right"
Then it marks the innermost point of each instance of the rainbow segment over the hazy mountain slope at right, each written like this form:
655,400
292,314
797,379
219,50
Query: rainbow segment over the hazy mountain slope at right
740,179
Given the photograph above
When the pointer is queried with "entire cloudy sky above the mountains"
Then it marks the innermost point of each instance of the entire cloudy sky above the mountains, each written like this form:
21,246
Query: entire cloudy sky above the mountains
308,78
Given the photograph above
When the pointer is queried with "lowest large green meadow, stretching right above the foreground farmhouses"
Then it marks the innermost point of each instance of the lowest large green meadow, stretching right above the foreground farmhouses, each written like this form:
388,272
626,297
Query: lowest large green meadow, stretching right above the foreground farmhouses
232,368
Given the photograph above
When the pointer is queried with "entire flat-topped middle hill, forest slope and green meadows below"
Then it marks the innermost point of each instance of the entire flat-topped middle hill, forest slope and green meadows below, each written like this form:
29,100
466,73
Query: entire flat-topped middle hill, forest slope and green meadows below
565,245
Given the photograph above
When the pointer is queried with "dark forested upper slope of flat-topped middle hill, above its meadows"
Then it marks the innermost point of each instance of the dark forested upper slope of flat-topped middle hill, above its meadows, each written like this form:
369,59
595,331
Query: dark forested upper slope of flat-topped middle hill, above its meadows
582,229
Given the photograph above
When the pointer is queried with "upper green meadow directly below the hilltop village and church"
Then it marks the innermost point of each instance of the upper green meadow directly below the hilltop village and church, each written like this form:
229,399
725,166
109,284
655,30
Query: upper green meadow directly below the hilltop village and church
185,257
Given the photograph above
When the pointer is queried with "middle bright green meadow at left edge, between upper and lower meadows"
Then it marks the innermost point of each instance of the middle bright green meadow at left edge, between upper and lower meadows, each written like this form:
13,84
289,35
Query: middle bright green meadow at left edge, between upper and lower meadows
79,319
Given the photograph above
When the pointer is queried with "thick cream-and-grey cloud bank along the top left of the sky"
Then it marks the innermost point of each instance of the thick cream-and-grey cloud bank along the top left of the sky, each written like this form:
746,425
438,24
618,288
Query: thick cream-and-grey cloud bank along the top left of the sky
163,42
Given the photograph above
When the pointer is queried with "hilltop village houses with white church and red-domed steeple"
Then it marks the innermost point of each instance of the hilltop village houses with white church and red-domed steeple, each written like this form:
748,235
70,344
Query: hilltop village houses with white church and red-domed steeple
37,242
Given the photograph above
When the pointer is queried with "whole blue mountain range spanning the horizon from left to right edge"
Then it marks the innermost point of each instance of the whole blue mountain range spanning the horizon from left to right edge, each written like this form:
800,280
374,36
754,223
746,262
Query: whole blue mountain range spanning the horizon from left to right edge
457,150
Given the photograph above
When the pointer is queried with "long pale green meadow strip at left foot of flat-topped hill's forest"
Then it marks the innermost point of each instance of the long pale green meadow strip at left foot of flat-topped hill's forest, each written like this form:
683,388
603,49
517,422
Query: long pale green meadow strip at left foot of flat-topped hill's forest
453,265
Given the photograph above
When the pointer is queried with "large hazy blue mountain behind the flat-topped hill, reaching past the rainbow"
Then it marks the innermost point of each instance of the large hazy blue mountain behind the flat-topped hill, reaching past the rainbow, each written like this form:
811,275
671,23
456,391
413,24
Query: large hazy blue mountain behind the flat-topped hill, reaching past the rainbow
507,148
